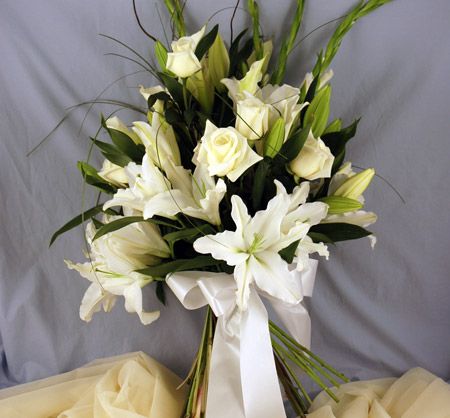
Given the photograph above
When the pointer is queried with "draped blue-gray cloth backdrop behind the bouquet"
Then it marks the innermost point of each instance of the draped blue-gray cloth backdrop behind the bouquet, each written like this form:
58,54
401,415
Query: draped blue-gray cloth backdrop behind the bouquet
374,313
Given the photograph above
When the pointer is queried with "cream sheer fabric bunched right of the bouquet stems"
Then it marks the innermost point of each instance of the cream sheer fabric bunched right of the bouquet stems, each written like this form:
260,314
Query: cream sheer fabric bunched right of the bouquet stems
417,394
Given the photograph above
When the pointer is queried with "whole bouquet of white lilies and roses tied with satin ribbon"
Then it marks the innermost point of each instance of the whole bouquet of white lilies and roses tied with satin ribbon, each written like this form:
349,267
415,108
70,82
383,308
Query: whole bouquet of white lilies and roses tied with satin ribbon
221,193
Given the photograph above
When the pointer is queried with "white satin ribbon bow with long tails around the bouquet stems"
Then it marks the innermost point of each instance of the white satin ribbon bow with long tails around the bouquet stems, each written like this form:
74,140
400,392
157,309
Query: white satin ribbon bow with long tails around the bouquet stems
243,382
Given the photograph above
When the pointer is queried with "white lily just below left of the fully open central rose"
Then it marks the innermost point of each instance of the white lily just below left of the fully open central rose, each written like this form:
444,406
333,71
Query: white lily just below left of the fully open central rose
197,195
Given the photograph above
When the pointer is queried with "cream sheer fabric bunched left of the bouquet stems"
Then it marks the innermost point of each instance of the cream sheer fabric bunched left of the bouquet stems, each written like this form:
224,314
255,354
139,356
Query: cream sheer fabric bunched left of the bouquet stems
128,386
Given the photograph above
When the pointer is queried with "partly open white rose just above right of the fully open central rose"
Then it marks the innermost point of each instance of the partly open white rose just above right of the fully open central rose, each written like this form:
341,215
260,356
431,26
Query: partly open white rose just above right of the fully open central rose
252,118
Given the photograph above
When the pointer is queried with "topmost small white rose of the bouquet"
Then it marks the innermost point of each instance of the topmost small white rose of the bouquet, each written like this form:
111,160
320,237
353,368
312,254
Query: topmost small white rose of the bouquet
183,61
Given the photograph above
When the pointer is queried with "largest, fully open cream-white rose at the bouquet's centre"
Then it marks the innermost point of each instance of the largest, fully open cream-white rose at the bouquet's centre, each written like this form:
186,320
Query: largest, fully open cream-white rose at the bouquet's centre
225,152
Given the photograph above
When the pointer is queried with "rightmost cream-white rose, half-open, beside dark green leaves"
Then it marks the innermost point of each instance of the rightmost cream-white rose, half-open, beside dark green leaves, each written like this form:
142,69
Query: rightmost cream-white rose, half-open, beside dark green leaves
314,161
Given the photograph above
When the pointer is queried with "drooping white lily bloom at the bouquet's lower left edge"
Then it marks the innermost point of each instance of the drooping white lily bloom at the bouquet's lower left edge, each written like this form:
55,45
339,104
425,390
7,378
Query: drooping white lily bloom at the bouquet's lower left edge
113,259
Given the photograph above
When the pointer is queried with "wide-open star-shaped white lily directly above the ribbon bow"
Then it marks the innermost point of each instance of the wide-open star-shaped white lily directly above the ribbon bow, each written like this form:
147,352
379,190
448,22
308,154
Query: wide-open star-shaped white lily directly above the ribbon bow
253,248
